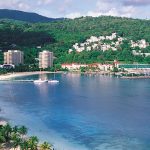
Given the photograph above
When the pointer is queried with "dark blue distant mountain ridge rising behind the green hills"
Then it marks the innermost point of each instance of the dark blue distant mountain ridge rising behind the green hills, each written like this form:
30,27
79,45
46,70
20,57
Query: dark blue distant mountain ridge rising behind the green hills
25,16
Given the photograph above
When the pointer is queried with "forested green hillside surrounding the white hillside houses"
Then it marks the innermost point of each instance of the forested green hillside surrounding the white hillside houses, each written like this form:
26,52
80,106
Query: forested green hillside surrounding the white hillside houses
61,35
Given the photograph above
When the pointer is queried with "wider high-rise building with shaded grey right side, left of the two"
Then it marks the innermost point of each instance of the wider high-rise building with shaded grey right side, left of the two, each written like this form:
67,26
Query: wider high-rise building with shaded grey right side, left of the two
14,57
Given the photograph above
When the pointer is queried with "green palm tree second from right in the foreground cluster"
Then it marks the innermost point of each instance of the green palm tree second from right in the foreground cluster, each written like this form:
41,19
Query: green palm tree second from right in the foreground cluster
33,142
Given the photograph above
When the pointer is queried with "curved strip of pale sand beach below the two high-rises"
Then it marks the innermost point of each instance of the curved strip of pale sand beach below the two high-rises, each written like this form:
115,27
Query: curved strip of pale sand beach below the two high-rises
20,74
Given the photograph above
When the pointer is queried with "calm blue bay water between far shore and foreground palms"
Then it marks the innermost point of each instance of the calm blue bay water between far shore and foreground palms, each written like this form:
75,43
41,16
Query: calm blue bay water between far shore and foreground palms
82,112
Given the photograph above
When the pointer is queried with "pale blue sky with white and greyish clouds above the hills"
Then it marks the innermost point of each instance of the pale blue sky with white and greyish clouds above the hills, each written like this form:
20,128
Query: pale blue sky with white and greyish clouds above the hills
78,8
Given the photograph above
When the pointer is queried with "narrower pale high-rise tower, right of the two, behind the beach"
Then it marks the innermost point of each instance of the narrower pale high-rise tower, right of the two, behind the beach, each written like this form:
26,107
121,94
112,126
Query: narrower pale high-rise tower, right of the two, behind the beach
45,59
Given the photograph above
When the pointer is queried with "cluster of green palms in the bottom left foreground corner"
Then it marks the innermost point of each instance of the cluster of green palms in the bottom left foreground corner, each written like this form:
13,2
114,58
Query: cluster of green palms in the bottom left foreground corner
13,137
